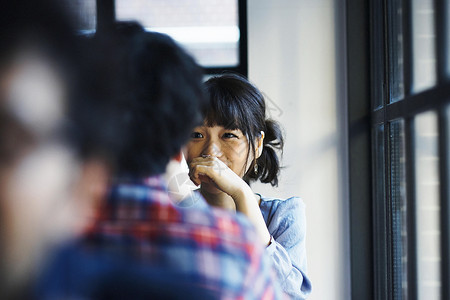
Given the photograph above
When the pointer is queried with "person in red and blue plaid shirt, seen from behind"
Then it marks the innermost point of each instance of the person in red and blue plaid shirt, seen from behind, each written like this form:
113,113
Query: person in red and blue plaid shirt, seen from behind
210,250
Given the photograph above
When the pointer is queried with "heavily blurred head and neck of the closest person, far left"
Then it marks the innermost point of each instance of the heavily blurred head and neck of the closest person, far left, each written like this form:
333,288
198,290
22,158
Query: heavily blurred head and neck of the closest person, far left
43,182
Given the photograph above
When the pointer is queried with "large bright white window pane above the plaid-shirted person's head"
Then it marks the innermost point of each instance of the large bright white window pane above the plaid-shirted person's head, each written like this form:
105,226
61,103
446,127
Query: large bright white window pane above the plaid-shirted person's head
208,29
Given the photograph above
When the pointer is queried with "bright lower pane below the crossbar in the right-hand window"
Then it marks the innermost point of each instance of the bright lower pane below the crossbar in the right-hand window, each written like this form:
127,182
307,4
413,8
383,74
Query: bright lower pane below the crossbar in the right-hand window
427,206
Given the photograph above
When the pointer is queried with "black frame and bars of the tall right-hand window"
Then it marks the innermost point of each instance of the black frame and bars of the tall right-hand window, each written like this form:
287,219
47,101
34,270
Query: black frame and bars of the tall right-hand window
368,74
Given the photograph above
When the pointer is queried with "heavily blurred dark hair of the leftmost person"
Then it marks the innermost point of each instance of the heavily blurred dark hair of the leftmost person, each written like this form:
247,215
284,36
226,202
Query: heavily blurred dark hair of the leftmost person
47,28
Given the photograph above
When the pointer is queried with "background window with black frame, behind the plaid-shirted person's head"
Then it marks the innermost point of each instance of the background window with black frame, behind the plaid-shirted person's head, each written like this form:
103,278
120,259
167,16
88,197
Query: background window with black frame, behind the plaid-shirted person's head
214,32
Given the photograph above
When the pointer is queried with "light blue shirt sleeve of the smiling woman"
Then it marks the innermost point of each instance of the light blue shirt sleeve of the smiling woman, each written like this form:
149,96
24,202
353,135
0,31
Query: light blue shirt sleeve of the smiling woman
287,247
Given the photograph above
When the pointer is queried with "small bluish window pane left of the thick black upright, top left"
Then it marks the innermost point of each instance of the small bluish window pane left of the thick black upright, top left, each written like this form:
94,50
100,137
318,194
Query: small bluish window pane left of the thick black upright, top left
86,13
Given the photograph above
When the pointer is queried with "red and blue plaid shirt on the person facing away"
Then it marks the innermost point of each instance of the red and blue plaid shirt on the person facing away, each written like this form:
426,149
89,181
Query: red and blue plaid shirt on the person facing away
217,250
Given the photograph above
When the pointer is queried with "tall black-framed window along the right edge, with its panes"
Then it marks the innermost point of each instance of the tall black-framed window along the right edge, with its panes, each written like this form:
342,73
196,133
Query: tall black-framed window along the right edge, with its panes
398,103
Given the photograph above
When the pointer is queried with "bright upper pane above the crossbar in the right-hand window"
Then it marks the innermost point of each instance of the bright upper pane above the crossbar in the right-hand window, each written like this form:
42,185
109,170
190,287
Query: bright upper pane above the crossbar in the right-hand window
424,56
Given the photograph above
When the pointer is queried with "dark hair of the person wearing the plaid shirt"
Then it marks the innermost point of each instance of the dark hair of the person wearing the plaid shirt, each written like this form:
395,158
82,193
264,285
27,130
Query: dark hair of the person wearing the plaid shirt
160,90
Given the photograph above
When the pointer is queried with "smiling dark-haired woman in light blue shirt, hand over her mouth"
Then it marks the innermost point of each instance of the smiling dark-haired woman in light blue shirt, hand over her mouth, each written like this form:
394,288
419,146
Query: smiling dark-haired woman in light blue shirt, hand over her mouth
235,146
